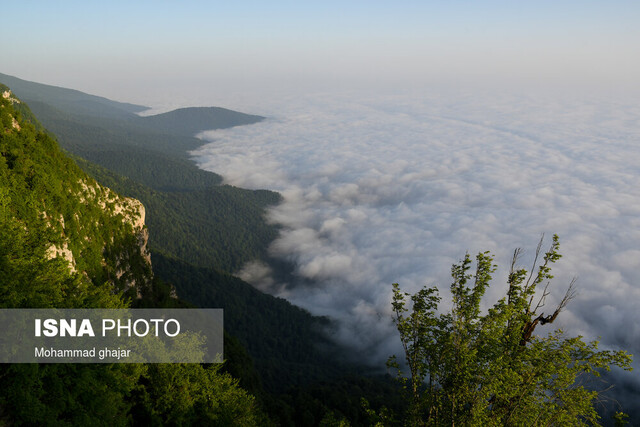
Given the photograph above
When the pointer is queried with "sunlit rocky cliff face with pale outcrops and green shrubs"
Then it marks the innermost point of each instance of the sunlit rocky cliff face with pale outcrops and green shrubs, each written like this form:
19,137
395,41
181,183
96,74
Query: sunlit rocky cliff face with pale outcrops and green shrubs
98,234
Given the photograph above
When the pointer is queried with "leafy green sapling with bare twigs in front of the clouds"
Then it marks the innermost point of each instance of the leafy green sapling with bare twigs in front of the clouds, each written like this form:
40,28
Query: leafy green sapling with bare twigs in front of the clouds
469,368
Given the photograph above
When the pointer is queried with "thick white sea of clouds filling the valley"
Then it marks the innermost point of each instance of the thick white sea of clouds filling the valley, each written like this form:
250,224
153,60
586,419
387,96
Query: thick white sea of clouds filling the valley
390,189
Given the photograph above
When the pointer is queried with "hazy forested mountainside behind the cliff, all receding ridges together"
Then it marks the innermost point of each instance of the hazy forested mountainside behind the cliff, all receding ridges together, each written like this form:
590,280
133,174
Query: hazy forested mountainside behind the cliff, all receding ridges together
189,214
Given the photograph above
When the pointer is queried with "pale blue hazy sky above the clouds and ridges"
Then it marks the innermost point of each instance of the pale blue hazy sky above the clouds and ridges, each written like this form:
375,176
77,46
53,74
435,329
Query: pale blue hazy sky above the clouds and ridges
140,47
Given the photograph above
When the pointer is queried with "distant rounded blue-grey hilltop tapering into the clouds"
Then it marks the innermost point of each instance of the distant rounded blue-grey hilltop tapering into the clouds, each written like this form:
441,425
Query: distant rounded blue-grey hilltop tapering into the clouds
193,120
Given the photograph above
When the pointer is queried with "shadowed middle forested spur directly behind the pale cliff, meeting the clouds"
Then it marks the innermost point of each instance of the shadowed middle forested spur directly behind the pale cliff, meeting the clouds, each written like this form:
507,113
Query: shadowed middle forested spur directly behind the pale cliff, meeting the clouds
215,226
